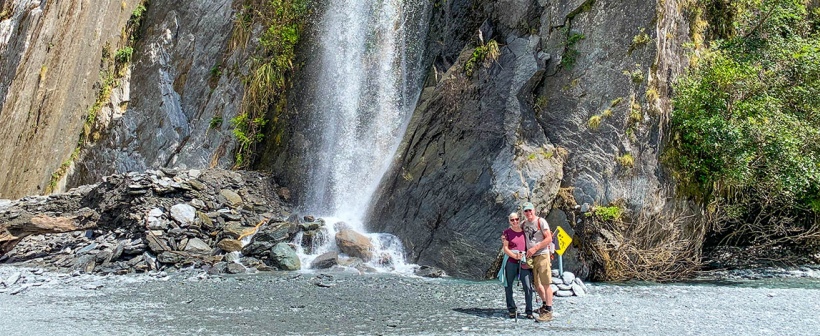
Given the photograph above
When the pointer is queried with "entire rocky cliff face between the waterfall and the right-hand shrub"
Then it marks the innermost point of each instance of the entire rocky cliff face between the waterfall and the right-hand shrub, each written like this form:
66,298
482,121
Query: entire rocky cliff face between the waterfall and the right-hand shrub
577,99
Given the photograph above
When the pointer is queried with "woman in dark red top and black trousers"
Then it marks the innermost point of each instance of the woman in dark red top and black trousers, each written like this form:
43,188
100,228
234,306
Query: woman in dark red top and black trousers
515,247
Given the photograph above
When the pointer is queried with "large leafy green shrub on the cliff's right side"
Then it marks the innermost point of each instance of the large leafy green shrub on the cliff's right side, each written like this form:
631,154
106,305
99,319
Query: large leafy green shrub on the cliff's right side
746,126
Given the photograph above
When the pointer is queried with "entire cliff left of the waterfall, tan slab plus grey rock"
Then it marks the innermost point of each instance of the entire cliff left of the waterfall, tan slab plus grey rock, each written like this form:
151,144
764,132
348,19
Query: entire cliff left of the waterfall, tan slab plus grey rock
168,104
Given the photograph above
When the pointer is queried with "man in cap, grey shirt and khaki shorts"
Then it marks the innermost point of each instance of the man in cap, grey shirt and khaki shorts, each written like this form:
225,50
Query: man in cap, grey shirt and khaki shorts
539,238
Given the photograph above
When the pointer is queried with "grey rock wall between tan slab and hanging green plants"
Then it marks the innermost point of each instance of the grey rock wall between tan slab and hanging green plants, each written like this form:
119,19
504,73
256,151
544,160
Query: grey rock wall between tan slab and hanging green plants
183,77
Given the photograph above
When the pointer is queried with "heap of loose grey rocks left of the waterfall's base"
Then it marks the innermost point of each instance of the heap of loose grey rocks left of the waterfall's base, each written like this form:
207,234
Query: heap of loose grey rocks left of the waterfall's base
165,219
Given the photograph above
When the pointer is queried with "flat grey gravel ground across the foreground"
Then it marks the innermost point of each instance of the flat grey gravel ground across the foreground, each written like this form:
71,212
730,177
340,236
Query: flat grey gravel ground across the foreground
293,303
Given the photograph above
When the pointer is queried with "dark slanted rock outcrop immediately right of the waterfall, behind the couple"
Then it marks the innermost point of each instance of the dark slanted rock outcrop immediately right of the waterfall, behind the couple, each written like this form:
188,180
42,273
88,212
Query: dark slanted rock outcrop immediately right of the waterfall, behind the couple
496,157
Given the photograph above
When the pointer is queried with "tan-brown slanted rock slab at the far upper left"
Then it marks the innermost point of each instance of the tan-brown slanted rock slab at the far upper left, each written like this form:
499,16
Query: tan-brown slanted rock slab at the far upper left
50,55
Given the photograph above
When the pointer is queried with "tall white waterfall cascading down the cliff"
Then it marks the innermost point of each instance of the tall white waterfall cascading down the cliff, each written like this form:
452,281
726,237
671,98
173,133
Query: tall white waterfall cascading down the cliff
369,81
